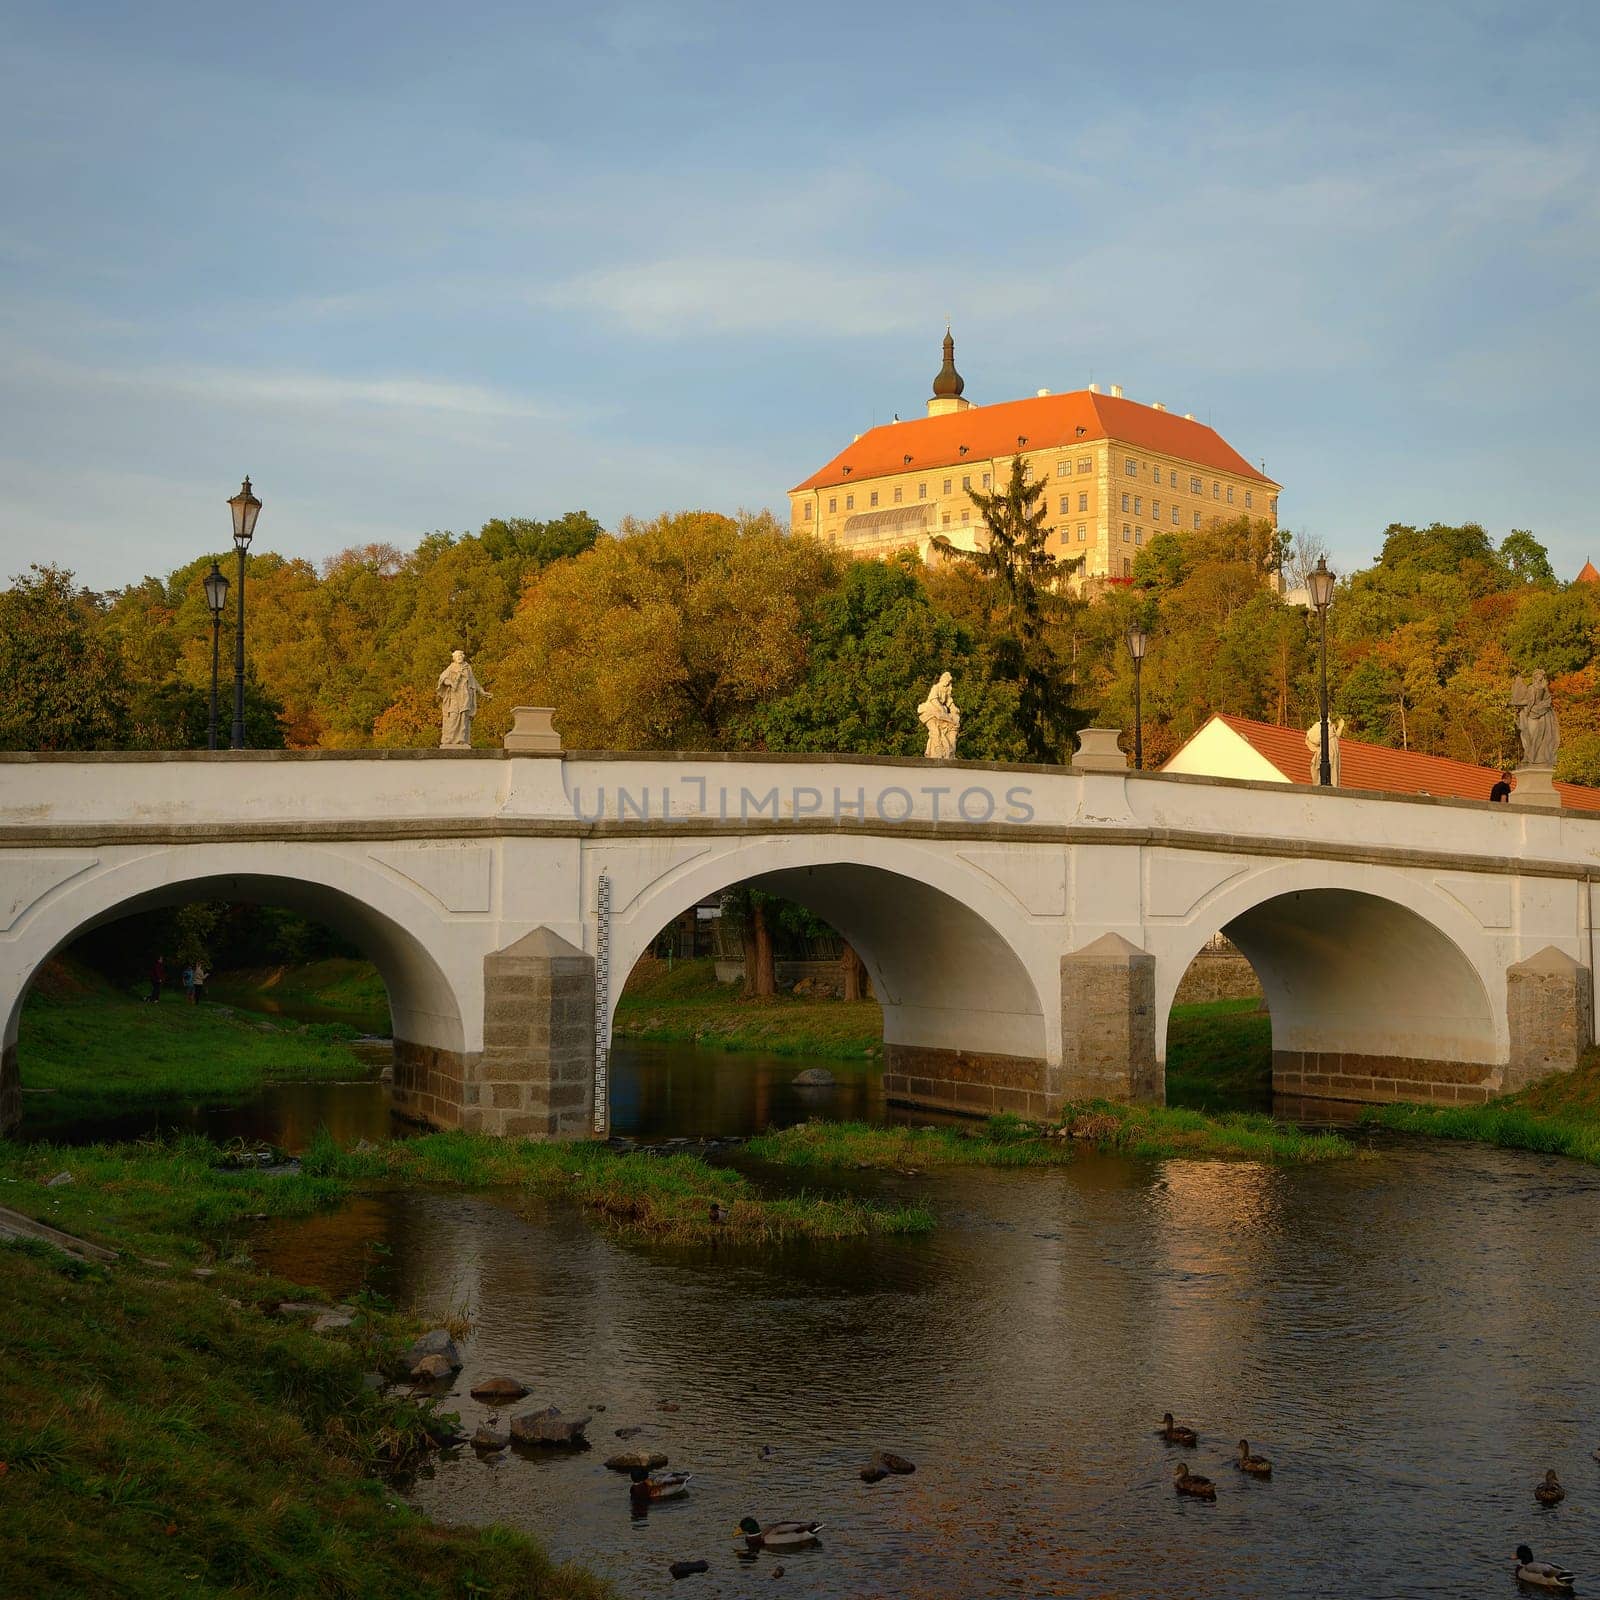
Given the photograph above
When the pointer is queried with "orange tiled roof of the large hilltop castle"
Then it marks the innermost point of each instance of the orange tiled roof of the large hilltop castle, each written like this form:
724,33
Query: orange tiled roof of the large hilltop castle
1046,422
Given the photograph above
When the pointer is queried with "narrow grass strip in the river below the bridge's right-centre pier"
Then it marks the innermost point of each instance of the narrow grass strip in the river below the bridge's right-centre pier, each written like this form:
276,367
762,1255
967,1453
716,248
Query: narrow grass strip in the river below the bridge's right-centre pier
1010,1142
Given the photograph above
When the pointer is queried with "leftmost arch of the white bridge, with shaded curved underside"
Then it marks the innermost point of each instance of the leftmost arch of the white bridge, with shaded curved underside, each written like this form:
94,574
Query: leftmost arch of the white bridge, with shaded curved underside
434,982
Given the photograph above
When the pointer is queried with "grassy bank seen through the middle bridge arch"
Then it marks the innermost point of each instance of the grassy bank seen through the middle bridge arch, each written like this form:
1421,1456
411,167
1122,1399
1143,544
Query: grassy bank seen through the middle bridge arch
689,1007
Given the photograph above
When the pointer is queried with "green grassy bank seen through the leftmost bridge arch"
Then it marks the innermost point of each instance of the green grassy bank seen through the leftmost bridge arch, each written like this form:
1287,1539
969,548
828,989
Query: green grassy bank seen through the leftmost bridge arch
100,1052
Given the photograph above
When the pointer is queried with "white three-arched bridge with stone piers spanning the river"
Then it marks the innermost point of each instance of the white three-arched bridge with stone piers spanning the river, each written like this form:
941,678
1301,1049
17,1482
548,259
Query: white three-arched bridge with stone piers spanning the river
1026,929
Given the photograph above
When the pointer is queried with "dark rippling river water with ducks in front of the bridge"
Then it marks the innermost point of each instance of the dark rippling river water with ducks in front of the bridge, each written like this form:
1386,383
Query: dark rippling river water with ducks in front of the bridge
1407,1337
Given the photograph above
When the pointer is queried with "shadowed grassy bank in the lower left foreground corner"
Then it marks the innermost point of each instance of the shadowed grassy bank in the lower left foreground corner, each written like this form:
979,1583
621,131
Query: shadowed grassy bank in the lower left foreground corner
166,1434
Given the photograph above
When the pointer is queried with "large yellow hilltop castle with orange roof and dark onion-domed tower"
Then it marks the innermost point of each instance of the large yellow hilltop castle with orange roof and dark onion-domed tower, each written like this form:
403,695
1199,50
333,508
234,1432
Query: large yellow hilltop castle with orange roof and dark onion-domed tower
1118,473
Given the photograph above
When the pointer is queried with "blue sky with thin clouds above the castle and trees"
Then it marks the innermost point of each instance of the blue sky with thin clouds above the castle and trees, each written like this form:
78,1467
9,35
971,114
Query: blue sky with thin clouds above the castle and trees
415,266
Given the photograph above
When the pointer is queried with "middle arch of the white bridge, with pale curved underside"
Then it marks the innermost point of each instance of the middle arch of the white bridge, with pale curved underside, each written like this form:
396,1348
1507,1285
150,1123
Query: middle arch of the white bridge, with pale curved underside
951,954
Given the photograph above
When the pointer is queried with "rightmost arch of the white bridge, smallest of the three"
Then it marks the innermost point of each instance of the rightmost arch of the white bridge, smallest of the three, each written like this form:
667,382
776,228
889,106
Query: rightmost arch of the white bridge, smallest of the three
1378,985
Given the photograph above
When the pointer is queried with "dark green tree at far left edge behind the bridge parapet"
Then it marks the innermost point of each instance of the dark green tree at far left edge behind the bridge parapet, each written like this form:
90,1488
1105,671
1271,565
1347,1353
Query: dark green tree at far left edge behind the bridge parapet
63,686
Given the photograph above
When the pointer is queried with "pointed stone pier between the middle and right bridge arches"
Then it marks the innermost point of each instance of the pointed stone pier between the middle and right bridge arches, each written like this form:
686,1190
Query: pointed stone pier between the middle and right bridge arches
1108,1023
